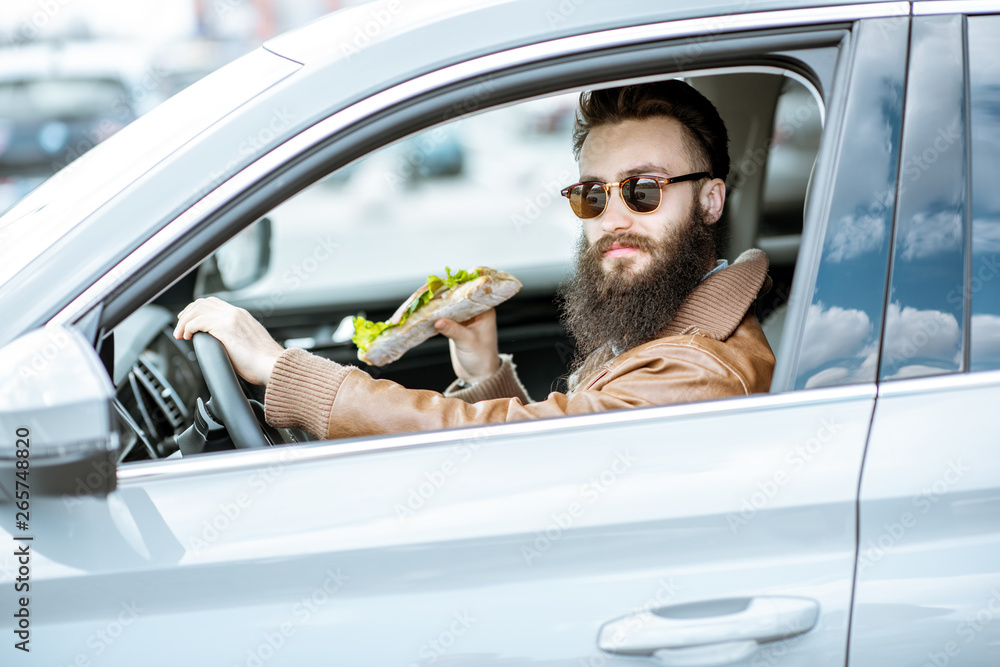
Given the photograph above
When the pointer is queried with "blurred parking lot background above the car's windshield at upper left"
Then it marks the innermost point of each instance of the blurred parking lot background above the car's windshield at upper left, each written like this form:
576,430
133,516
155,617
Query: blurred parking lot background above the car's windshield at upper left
74,72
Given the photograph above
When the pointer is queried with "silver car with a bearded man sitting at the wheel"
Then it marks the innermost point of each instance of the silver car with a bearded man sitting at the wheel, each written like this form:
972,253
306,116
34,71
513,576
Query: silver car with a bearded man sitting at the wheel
847,517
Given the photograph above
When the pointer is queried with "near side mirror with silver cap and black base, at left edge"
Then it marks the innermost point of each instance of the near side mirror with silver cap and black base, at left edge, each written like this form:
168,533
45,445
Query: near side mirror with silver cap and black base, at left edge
56,427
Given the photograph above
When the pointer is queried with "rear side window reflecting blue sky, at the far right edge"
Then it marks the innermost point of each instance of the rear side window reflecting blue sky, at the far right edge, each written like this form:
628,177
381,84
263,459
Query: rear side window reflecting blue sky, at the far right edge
984,285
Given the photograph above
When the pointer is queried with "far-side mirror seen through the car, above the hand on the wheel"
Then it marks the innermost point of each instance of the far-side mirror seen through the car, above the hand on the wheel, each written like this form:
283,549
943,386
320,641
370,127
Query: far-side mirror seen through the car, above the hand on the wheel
239,262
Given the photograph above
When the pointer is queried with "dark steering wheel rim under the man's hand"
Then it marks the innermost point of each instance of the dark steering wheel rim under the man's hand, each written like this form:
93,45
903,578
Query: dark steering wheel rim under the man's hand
229,403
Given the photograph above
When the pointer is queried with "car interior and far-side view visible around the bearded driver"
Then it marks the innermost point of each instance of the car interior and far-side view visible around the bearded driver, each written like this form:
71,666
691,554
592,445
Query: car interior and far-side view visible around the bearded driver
482,189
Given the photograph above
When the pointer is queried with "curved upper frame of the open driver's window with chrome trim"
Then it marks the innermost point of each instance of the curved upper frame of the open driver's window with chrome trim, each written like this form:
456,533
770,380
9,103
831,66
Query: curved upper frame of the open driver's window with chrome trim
349,135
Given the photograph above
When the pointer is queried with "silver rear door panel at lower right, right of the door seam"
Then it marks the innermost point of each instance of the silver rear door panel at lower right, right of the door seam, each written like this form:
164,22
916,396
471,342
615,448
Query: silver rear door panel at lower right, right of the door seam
928,587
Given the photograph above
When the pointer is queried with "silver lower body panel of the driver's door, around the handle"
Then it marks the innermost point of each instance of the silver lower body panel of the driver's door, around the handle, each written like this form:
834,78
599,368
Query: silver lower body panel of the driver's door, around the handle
494,546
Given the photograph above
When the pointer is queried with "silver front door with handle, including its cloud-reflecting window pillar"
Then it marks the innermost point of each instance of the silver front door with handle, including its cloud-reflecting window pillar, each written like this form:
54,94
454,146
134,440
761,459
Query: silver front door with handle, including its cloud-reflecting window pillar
721,532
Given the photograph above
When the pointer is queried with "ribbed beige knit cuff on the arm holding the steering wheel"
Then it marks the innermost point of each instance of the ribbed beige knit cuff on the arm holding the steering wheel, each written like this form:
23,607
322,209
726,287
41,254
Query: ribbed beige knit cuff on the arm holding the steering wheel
301,391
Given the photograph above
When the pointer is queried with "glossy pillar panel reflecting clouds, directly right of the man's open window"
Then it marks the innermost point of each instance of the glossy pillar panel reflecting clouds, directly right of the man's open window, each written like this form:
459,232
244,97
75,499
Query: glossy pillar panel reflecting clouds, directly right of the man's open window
843,325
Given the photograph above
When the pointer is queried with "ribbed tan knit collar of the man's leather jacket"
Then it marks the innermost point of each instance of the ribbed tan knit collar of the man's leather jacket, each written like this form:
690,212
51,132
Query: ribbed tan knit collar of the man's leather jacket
717,306
